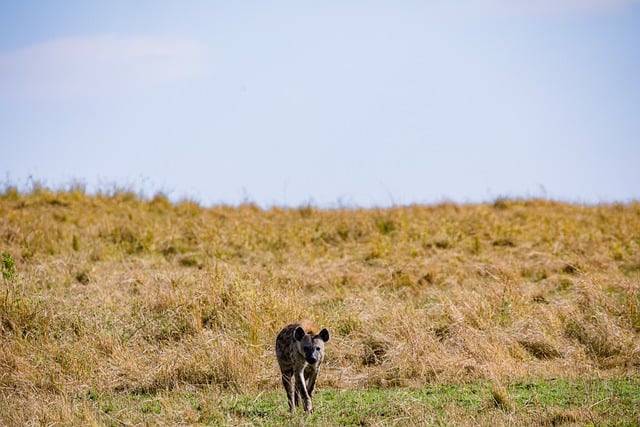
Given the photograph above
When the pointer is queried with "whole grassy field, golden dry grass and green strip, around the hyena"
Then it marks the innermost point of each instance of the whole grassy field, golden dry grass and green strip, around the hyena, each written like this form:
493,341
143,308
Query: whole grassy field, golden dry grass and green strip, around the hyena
116,310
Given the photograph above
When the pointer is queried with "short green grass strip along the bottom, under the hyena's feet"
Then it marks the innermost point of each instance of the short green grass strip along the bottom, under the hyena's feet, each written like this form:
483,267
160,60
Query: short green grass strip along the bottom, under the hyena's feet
611,401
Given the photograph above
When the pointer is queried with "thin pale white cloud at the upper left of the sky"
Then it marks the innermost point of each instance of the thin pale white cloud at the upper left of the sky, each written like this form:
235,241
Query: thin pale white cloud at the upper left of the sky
82,67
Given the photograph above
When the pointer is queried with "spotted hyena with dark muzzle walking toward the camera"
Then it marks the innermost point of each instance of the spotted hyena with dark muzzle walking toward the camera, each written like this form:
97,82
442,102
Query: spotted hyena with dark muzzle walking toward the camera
300,351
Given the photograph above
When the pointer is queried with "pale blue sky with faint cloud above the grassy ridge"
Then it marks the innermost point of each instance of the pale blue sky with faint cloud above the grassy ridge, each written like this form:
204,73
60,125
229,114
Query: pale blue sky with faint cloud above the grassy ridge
356,103
